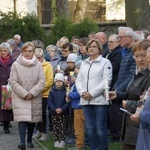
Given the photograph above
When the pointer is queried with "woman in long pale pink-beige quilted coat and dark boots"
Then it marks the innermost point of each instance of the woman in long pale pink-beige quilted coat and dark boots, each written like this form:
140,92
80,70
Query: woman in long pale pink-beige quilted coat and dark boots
27,81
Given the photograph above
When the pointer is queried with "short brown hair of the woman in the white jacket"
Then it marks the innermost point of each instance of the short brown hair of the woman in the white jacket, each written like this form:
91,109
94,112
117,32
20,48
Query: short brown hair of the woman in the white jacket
99,45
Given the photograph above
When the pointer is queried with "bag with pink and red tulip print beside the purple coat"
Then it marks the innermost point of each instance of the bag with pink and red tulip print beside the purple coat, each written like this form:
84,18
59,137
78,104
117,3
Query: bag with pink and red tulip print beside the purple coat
6,100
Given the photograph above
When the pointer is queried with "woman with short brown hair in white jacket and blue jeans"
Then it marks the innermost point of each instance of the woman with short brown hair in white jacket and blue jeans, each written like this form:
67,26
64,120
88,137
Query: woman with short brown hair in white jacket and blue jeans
90,83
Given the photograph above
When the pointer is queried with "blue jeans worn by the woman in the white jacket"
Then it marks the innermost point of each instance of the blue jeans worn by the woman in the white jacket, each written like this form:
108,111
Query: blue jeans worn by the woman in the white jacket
96,117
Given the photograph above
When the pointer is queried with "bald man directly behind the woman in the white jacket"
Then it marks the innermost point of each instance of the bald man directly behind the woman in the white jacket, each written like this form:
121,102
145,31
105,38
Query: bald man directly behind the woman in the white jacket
101,36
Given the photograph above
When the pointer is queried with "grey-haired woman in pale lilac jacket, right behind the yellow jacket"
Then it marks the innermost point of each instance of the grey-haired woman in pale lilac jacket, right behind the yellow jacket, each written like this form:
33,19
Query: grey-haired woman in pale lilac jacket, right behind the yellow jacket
52,51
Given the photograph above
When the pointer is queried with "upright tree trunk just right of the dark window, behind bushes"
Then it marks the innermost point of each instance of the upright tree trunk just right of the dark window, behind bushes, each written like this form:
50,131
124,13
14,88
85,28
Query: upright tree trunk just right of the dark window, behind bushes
62,7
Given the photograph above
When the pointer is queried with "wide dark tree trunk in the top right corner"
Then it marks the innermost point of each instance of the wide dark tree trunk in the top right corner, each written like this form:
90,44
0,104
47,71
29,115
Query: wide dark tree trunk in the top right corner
138,14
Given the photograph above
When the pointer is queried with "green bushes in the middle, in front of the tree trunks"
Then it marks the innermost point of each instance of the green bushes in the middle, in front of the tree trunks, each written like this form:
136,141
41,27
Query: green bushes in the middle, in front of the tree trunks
65,27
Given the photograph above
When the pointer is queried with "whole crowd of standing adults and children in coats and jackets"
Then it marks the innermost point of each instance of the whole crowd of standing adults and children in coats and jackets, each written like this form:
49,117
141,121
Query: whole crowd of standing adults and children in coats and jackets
66,86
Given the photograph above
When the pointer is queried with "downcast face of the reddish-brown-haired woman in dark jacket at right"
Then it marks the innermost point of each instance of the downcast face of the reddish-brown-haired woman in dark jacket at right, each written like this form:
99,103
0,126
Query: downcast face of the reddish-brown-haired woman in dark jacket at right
140,58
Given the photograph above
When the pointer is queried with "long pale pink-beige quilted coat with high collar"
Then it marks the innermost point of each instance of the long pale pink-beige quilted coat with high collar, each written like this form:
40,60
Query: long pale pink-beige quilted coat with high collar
23,79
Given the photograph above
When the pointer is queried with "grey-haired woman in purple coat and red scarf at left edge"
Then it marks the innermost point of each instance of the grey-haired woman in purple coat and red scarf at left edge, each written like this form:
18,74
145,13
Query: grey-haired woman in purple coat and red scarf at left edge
5,66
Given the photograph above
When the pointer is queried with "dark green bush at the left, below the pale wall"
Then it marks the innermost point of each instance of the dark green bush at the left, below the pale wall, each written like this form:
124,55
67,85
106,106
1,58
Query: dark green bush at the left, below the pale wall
28,27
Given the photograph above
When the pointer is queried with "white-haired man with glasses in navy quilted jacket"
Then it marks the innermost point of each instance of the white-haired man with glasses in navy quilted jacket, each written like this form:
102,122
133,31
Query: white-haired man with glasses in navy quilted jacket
127,68
